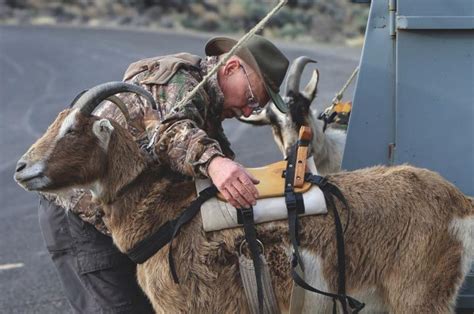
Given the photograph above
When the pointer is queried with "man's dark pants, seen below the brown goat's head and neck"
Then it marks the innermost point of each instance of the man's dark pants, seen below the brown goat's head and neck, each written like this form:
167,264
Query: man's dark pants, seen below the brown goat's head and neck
96,277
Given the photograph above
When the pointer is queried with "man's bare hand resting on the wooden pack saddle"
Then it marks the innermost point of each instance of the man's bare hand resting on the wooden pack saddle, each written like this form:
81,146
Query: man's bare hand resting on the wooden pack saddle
234,182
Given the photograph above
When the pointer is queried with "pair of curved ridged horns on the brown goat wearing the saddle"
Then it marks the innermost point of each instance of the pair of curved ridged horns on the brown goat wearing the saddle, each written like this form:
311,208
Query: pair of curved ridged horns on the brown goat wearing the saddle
88,101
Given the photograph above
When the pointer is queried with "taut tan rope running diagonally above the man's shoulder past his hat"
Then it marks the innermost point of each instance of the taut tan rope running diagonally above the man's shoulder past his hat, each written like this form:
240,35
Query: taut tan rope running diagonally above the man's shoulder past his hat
242,41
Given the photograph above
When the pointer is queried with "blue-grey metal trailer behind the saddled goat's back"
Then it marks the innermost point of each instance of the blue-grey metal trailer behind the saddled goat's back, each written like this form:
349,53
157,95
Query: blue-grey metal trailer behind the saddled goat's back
414,97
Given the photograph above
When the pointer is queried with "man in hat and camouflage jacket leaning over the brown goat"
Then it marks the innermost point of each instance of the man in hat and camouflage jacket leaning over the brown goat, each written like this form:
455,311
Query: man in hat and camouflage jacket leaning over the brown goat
188,138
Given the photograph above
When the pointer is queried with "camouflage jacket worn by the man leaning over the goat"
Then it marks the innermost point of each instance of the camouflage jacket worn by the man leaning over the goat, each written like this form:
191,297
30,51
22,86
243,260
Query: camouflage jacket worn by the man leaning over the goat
186,139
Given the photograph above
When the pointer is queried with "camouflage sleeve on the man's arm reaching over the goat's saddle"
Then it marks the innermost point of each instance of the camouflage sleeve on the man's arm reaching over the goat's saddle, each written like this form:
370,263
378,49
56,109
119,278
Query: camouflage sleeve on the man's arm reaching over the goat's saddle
180,139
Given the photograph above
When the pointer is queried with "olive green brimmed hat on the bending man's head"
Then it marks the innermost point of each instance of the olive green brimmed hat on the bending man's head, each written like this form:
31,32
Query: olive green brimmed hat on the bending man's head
262,56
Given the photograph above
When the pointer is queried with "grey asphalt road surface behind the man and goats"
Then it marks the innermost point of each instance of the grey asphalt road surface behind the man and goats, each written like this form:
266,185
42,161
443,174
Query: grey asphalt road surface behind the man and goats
41,70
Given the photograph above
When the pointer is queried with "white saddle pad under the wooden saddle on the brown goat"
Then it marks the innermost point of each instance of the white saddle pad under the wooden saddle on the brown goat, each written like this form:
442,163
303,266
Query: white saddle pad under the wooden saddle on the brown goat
217,215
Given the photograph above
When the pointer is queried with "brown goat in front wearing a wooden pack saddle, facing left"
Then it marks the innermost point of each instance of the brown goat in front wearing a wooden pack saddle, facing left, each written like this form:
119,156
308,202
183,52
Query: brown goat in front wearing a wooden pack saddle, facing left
409,243
